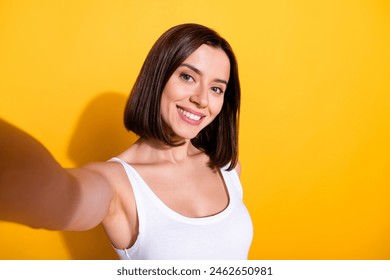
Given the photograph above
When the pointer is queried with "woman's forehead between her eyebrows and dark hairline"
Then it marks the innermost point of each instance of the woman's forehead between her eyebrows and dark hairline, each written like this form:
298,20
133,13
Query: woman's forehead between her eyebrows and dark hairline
210,61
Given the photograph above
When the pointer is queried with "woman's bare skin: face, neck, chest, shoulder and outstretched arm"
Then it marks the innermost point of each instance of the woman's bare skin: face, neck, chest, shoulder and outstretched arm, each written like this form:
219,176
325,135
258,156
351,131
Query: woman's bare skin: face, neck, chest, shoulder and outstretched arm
81,198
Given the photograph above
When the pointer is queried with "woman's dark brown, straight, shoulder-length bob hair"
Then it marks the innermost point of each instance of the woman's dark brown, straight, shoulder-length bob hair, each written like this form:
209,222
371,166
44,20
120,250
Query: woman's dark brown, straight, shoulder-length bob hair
219,140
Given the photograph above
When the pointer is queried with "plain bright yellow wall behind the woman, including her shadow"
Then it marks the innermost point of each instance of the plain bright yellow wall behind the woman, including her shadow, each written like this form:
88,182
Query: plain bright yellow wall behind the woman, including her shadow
314,135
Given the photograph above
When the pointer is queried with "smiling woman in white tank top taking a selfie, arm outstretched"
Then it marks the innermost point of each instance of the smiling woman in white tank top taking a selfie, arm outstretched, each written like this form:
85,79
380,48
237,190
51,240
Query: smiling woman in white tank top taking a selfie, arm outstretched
175,193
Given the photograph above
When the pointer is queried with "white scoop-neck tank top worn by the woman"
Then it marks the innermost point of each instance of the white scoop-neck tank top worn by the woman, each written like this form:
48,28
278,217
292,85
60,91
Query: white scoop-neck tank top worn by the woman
166,234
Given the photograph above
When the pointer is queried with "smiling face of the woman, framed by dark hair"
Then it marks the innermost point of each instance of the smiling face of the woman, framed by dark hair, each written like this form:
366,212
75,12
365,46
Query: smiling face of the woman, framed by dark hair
194,94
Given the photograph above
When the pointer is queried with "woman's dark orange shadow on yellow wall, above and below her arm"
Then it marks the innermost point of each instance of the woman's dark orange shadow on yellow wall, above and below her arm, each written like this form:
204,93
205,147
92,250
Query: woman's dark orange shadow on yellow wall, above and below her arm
99,136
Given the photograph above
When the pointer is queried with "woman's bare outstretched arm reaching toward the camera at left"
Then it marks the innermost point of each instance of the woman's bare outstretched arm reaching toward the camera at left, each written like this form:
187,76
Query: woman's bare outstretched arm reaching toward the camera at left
36,191
